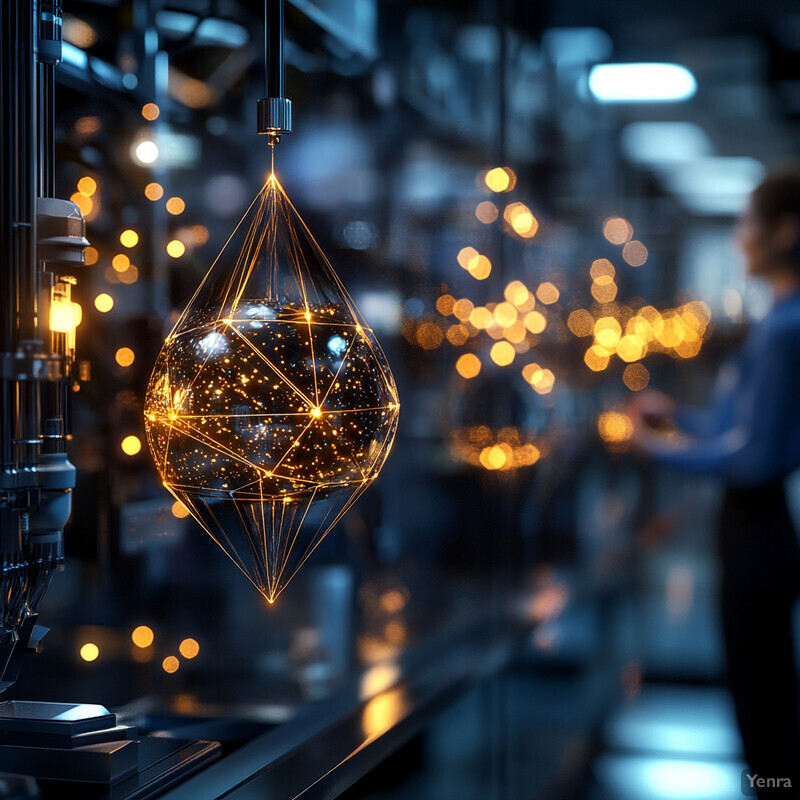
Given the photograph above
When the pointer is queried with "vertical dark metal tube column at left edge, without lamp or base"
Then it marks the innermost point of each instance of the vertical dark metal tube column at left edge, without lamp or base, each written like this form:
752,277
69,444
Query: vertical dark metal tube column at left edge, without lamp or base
43,237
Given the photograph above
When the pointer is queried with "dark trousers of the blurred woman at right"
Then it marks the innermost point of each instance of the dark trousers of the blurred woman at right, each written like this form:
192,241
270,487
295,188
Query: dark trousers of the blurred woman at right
760,580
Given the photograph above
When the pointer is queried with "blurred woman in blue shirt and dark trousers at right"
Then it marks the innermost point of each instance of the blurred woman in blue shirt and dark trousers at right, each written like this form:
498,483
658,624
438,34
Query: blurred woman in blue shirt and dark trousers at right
750,437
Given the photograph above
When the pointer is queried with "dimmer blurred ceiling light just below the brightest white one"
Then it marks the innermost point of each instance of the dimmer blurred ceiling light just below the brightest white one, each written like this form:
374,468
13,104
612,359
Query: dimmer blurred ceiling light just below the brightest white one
656,143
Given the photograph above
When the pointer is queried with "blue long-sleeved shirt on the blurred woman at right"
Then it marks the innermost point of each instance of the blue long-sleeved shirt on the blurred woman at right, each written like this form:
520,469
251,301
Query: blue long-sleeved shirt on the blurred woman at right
751,434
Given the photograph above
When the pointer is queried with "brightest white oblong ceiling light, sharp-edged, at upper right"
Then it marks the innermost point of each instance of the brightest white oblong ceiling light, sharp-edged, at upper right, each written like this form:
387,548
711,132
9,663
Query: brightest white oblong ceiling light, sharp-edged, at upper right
641,83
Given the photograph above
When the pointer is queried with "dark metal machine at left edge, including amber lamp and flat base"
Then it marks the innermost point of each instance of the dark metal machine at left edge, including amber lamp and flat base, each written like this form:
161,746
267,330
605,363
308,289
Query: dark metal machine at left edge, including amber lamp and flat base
44,246
